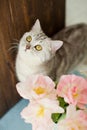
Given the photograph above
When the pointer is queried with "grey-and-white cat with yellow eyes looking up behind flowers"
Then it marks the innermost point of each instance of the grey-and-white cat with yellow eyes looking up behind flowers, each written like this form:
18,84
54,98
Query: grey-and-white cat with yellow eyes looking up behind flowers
39,54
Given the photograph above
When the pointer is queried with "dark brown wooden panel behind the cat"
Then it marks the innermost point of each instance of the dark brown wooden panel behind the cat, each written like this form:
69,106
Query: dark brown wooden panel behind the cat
17,17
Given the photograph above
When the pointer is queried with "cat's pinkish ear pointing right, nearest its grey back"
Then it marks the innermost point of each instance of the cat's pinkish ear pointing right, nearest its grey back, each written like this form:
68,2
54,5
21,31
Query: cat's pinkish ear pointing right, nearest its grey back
56,44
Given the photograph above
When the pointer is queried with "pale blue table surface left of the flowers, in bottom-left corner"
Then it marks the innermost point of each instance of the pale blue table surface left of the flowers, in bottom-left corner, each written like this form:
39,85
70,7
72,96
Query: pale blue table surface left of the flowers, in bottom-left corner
12,119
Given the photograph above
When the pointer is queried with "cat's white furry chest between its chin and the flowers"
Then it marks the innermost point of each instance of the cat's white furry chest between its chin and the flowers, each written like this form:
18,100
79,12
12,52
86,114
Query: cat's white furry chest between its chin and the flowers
26,68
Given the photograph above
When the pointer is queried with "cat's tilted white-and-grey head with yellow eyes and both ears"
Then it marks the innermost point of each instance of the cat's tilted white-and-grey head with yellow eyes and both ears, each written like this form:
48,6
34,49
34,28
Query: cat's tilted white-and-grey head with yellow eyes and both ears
37,46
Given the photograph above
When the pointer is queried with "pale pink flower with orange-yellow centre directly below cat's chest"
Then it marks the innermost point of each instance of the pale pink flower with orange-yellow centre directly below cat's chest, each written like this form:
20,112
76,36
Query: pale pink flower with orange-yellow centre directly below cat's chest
36,87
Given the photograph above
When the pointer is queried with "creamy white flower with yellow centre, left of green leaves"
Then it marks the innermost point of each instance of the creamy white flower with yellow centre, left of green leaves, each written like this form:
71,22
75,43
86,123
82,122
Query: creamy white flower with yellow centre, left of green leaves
39,113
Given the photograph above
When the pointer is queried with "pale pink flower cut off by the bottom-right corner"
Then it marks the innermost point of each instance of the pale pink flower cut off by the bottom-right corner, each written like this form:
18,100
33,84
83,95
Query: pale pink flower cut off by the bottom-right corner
74,120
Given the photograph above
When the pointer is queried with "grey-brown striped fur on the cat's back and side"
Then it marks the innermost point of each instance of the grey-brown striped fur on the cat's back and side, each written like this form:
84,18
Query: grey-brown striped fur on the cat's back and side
74,49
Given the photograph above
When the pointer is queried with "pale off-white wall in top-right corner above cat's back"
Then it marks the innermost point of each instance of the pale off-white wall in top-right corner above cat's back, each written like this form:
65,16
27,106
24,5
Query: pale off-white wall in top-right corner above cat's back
76,11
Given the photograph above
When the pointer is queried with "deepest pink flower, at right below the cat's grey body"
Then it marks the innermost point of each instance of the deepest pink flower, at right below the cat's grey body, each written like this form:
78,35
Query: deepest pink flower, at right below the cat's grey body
73,89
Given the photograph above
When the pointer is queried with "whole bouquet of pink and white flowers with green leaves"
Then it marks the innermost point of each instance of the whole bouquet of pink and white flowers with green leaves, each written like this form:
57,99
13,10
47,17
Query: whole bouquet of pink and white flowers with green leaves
55,106
